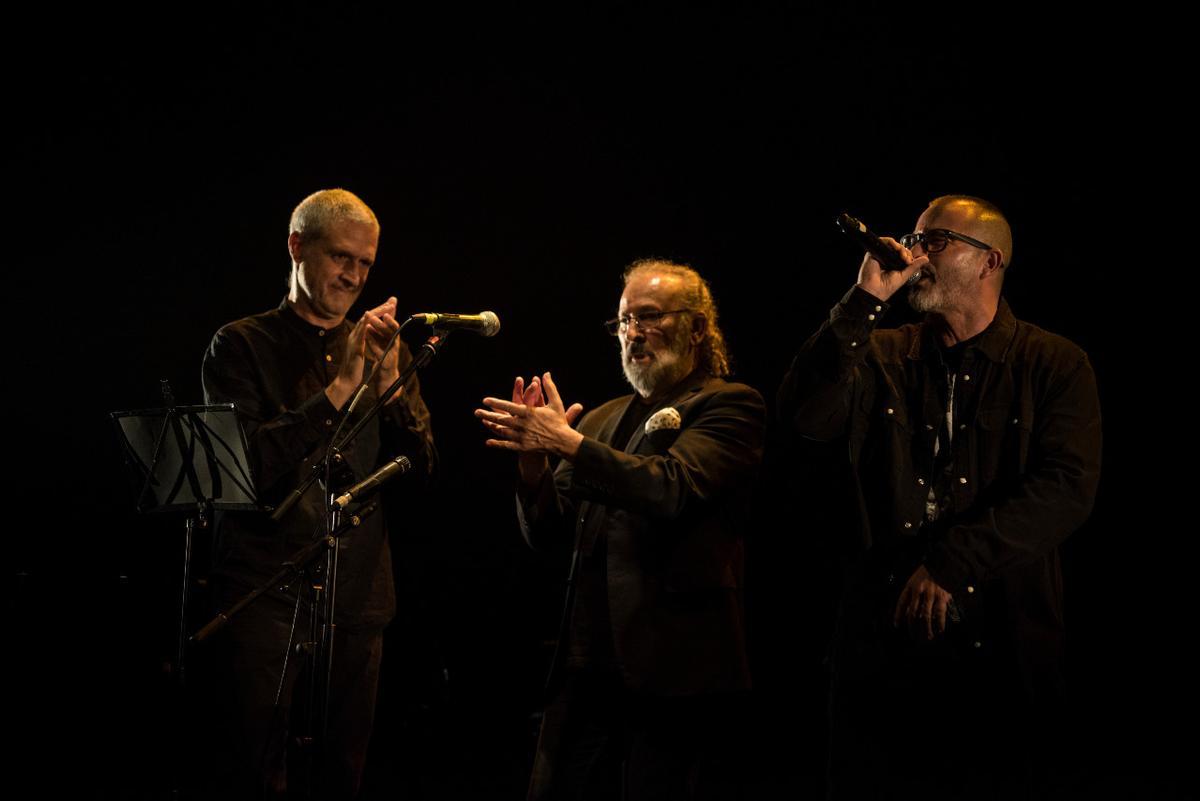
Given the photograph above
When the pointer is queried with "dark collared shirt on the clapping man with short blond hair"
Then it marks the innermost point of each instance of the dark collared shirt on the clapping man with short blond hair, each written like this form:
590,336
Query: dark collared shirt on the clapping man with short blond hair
275,368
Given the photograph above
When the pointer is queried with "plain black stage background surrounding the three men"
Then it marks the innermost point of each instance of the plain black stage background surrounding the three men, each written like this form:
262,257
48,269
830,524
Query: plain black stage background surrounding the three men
518,159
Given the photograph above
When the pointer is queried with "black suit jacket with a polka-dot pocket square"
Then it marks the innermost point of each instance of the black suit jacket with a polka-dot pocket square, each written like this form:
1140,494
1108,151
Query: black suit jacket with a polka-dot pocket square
673,507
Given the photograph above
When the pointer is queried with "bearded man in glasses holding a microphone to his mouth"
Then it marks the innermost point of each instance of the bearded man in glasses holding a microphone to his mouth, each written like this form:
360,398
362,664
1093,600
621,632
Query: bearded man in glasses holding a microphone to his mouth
973,445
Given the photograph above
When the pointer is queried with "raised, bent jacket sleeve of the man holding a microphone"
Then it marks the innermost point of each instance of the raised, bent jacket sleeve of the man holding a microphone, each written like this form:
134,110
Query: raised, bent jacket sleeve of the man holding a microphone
815,398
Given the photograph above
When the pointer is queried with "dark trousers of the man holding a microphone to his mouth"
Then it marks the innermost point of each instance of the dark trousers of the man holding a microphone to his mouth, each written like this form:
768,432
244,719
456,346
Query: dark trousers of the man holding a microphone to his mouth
939,721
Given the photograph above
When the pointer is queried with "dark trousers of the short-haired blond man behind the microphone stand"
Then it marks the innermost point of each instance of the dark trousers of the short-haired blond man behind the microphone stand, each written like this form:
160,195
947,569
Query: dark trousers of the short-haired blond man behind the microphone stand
254,761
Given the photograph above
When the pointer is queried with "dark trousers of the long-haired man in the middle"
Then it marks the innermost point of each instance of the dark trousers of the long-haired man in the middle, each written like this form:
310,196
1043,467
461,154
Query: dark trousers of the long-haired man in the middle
601,742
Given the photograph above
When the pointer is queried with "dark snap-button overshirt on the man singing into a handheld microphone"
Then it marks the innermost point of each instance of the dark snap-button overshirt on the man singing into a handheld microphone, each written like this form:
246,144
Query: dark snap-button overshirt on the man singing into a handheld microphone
1021,477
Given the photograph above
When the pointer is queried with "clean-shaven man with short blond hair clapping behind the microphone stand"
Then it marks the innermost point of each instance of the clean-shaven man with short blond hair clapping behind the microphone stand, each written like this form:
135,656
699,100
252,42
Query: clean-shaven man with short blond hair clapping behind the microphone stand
291,372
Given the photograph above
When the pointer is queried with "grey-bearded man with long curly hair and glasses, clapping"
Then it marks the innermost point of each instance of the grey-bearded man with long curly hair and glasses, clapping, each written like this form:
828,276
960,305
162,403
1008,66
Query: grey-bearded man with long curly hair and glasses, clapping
651,501
